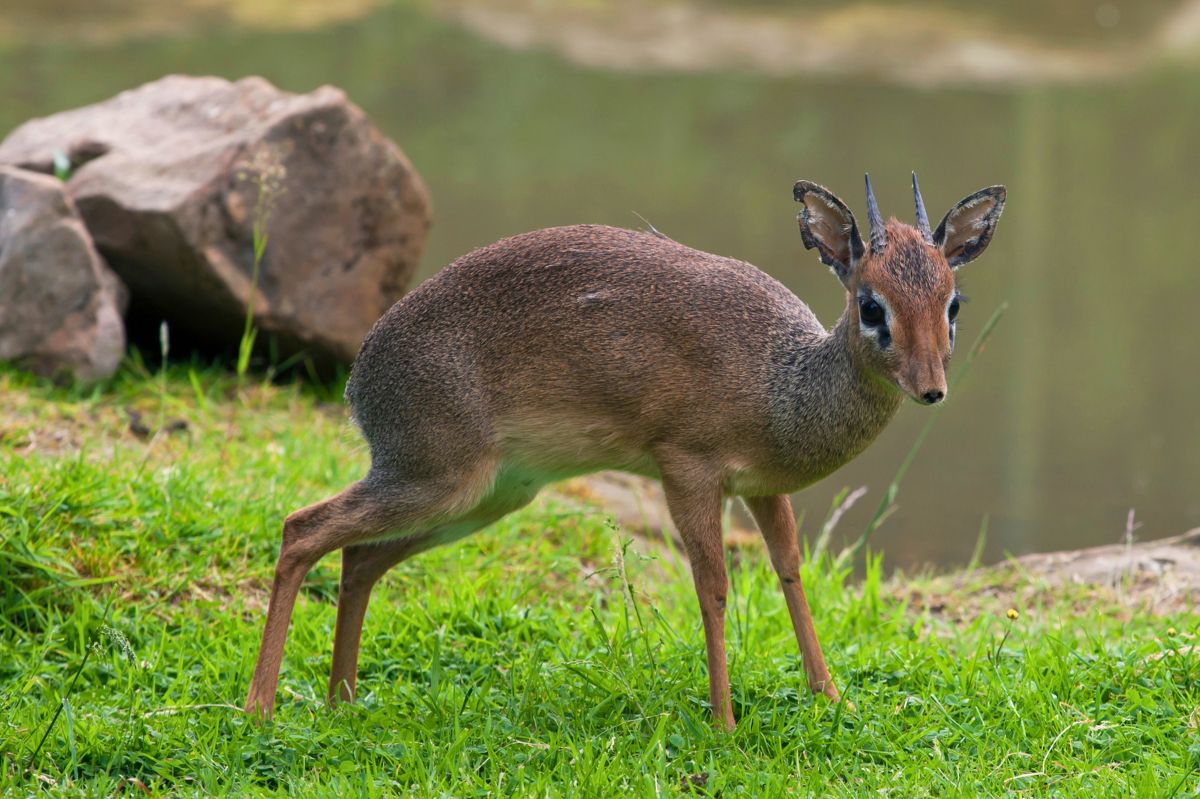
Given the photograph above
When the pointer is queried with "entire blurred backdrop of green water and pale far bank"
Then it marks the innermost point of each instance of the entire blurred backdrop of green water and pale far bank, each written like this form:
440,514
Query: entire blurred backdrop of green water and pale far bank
524,116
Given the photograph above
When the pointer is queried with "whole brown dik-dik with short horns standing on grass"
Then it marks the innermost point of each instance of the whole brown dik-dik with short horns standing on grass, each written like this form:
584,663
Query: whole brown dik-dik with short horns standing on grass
574,350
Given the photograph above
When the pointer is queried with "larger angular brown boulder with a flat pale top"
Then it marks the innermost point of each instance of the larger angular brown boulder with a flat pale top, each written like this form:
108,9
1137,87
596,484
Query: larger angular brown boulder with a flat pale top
172,178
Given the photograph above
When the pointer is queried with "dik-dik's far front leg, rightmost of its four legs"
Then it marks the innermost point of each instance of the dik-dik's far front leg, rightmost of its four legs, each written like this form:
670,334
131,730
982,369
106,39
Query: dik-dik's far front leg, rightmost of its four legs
775,519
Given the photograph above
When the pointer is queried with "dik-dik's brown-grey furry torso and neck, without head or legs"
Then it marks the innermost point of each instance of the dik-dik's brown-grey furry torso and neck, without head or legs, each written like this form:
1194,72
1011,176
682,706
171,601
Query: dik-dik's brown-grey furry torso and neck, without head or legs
574,350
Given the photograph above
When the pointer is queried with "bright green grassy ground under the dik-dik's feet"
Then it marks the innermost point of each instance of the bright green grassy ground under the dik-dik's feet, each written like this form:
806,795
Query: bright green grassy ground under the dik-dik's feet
548,657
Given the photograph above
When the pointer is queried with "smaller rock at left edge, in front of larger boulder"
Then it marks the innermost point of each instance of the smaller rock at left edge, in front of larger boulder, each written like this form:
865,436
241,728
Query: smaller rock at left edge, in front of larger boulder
61,307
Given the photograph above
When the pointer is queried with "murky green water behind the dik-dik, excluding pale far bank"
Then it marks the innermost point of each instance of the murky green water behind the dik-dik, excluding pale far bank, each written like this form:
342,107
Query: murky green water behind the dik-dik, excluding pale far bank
1084,404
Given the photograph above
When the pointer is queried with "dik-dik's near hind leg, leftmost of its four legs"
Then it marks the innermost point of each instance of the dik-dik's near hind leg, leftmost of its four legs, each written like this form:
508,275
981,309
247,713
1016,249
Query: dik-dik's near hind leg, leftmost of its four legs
370,509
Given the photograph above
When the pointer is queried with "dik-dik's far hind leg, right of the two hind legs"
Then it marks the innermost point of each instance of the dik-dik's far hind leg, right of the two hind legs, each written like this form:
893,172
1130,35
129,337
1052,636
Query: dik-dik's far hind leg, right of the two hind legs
363,566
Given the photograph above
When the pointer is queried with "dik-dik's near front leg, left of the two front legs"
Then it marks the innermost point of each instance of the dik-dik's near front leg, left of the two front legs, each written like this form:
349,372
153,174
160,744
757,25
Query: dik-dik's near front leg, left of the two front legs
695,506
